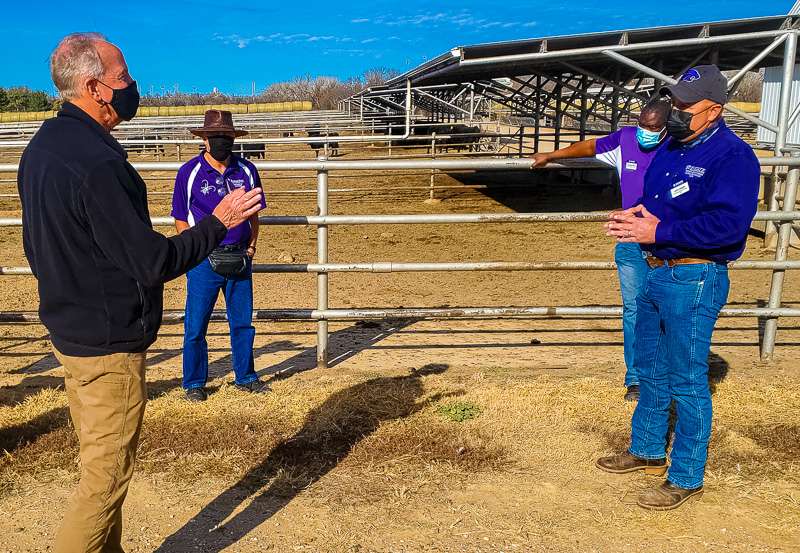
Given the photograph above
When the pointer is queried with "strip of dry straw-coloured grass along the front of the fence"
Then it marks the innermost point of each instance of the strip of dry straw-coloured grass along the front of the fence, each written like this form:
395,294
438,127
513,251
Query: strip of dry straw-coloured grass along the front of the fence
367,420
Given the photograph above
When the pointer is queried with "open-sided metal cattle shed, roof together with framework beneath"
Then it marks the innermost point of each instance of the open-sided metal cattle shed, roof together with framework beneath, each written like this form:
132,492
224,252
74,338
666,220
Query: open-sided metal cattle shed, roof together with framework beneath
592,83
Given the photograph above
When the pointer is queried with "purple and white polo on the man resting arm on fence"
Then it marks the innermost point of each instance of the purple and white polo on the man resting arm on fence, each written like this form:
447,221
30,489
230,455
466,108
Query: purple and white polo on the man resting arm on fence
621,150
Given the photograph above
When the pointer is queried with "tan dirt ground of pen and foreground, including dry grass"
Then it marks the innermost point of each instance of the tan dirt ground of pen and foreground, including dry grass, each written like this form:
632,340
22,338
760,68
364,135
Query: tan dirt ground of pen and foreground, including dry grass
372,453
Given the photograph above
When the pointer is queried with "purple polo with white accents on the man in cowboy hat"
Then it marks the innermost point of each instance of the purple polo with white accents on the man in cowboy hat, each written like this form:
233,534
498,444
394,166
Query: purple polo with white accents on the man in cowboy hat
199,188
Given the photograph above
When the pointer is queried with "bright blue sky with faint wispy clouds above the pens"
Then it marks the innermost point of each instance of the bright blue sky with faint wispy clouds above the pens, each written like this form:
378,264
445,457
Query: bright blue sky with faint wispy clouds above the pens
200,44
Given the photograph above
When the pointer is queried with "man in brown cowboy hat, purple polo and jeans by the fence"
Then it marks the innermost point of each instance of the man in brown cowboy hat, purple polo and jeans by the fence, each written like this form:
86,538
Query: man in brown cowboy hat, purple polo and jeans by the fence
201,184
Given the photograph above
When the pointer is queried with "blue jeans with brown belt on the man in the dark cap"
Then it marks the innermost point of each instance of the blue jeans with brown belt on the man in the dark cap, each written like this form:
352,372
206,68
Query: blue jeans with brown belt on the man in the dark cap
677,312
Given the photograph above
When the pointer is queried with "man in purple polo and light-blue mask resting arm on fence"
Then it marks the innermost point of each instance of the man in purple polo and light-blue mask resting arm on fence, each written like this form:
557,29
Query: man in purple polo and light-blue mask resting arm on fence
629,150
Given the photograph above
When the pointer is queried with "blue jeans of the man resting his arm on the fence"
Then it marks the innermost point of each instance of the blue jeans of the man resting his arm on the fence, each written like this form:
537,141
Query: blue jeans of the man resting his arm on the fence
632,269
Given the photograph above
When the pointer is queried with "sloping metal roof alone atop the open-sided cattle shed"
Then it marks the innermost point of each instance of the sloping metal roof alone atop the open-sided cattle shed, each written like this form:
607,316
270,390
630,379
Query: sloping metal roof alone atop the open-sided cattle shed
729,44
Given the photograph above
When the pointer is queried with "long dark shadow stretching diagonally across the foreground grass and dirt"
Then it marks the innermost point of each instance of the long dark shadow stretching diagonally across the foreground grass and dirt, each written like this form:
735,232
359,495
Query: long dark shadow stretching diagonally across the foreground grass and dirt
327,436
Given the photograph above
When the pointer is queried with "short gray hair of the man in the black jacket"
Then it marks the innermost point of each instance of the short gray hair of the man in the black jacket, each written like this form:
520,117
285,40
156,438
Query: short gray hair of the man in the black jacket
74,58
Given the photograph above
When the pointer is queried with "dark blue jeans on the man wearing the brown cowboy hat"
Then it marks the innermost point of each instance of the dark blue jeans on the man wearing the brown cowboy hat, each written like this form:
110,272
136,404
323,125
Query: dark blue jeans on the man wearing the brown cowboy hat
202,288
